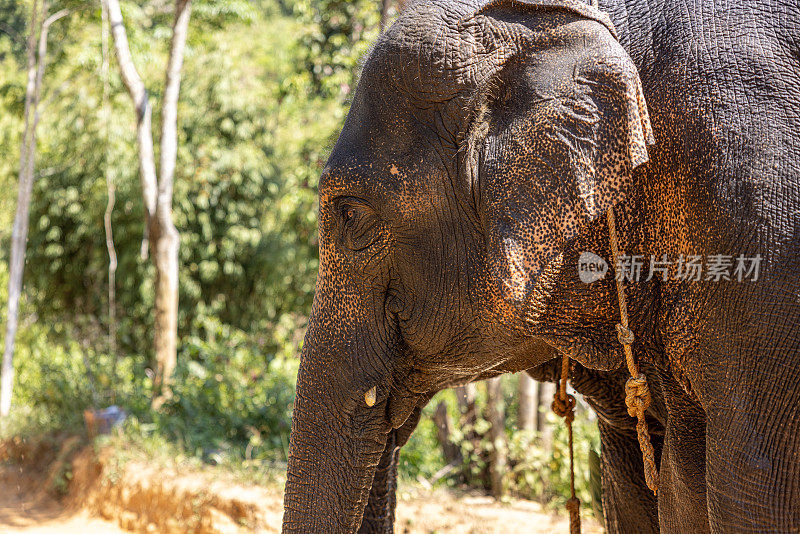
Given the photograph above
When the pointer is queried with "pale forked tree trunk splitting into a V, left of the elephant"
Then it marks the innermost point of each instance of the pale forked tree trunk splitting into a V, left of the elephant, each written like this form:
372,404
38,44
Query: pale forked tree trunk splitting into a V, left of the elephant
157,189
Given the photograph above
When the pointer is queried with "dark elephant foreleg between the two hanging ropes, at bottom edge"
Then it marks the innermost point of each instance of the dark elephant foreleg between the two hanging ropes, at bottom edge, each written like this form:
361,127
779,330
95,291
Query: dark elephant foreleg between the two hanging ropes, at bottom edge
628,504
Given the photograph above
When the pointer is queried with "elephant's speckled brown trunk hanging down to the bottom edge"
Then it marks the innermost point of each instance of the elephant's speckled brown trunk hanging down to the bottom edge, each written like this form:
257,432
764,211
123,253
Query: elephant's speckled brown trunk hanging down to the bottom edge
336,445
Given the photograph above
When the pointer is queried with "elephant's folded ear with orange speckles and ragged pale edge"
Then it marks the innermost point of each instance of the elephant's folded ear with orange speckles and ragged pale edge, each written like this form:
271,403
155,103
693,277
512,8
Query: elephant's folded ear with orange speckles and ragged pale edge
559,125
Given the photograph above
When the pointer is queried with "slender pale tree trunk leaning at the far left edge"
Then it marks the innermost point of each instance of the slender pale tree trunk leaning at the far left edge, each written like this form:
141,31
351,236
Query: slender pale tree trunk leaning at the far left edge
27,158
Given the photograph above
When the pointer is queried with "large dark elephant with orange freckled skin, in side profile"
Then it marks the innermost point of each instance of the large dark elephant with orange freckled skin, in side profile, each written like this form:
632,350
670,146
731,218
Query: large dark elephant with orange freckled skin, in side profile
466,195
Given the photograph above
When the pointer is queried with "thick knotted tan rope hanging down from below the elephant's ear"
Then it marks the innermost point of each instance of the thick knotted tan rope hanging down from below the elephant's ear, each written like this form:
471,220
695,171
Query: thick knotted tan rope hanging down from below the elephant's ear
637,392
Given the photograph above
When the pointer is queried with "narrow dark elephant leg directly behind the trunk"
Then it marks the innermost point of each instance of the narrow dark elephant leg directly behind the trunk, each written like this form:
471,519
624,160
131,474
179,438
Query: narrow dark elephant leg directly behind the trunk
379,513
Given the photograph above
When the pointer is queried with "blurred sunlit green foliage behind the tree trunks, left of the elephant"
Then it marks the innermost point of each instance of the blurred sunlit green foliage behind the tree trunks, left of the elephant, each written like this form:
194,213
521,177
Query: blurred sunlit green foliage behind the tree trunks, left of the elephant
253,136
